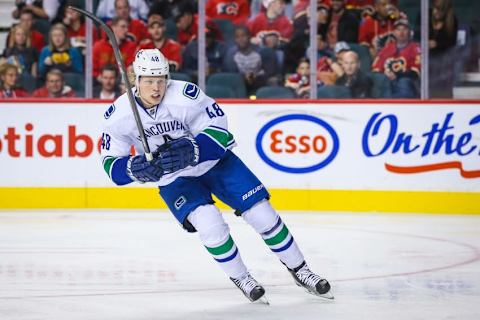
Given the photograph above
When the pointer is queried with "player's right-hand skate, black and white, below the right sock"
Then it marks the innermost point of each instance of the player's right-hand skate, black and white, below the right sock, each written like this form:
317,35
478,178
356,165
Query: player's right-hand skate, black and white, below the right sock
313,283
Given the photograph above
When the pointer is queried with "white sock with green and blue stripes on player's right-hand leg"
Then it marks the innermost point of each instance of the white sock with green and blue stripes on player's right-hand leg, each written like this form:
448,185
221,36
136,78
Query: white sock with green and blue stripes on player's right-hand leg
265,220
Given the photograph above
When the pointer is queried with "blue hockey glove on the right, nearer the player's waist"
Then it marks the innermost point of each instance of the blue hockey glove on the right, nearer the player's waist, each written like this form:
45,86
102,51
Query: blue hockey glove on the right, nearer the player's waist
179,154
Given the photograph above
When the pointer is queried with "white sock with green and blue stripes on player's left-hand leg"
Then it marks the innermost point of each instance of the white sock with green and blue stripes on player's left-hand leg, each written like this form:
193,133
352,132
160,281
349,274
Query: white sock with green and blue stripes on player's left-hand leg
215,236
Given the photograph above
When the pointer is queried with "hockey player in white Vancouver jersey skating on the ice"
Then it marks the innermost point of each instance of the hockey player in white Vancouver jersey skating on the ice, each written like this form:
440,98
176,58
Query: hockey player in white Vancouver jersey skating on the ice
192,161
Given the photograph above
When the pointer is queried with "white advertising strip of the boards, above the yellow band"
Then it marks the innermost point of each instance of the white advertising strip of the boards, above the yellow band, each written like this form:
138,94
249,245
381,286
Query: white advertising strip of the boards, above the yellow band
338,146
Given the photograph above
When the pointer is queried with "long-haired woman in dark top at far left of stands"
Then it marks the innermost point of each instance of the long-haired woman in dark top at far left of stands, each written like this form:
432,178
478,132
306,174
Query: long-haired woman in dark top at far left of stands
20,52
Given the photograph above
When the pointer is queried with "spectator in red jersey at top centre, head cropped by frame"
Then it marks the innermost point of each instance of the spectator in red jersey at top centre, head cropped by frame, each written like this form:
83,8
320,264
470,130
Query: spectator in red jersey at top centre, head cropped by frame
237,11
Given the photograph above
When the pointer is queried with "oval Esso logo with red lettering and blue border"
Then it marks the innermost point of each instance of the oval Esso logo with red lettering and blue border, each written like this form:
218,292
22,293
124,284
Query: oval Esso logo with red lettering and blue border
297,143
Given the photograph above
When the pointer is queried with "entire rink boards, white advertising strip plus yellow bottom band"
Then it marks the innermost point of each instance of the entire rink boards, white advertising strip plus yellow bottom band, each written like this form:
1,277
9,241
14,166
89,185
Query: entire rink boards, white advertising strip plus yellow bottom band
375,156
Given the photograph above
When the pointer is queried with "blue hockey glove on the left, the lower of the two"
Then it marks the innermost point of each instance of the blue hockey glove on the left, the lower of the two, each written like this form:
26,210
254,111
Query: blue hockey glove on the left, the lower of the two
141,170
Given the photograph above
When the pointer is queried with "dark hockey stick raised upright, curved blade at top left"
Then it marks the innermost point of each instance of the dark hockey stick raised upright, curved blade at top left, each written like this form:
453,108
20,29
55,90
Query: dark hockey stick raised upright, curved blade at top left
123,71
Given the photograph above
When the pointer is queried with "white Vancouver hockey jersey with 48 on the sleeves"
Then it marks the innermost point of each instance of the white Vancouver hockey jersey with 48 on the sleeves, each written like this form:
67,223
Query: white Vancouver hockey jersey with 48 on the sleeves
184,111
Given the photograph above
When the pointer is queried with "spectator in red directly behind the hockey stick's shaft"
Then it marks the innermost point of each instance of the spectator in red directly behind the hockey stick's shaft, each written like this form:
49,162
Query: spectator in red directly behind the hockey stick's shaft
103,52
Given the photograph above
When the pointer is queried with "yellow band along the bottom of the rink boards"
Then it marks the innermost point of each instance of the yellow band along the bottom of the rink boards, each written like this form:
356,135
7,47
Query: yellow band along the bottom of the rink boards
282,199
